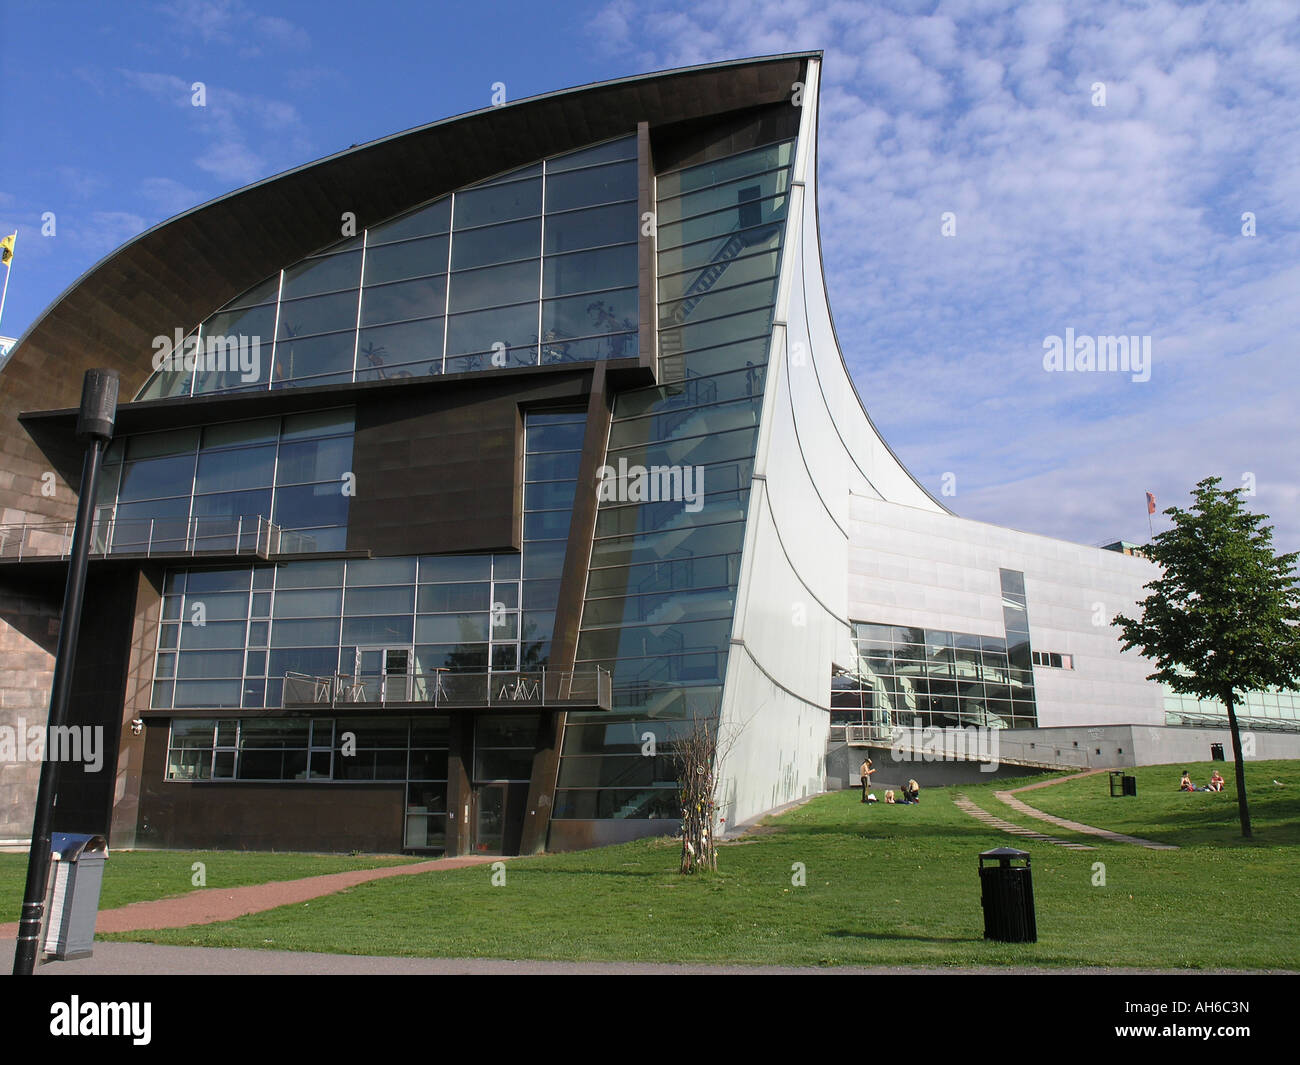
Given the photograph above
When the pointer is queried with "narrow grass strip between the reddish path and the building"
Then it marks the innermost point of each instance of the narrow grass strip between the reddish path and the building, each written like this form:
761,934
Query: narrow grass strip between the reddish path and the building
138,876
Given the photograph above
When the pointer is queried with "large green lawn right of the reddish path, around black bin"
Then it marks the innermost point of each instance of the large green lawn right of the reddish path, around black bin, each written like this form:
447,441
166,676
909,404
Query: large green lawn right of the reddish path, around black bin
885,886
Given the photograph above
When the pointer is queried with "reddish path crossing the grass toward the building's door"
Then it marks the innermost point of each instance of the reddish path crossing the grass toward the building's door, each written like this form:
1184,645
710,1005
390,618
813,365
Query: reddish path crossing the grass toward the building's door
210,906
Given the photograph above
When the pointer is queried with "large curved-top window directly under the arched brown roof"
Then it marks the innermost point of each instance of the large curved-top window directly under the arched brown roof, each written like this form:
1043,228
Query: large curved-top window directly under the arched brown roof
534,267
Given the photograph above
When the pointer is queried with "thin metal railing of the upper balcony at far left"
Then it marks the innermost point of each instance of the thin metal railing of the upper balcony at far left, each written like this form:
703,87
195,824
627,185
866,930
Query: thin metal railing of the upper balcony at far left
157,536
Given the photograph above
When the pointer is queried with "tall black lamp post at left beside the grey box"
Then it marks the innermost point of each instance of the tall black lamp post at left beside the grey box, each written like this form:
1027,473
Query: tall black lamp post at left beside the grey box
94,426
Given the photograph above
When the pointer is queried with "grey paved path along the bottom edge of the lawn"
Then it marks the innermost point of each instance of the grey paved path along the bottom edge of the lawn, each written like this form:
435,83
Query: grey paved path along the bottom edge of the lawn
150,959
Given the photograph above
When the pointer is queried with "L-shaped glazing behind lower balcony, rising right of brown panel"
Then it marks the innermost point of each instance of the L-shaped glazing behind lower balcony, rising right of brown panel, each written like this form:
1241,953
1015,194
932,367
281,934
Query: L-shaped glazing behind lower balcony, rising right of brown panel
229,637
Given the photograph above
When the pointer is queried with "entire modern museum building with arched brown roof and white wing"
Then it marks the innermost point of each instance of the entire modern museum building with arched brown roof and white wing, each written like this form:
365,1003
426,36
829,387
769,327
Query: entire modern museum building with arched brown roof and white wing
458,473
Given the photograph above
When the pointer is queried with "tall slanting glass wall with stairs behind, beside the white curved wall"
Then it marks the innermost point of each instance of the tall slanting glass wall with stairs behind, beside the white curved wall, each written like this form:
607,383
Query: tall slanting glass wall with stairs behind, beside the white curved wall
662,587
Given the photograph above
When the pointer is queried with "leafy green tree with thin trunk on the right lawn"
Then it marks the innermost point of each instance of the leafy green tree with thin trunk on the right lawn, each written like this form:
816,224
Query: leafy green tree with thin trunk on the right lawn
1223,617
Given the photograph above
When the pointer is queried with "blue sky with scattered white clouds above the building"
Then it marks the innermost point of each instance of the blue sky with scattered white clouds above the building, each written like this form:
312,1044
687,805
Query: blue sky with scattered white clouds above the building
1124,219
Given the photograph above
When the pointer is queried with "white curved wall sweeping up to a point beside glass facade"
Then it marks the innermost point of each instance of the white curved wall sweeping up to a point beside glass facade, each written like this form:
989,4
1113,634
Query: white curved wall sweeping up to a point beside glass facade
816,449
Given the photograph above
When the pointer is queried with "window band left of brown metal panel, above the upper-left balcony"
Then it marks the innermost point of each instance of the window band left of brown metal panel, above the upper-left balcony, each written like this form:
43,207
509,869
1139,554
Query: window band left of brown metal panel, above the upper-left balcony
214,488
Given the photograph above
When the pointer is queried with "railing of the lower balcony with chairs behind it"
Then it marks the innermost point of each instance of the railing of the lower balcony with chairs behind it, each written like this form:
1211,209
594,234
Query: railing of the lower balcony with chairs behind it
557,689
